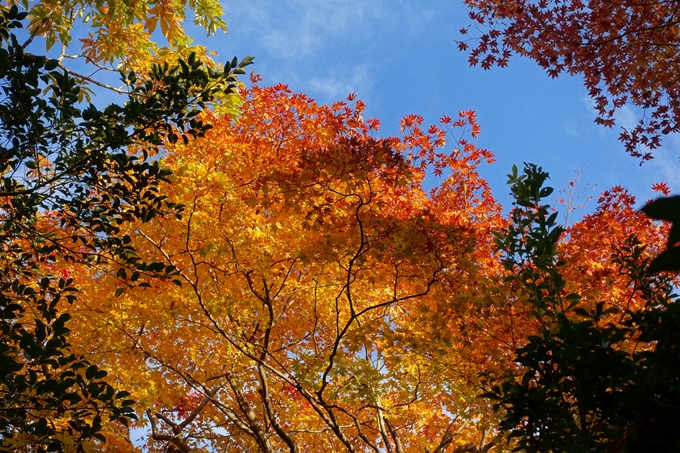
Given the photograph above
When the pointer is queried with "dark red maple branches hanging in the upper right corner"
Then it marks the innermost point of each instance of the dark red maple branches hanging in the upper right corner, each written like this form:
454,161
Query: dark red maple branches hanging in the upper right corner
626,52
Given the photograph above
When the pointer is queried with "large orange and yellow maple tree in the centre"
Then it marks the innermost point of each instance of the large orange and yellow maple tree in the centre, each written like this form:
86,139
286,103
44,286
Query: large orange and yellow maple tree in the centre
312,266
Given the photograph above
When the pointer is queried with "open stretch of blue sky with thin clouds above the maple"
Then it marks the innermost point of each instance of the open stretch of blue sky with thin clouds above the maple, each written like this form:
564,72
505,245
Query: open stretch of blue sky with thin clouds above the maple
399,57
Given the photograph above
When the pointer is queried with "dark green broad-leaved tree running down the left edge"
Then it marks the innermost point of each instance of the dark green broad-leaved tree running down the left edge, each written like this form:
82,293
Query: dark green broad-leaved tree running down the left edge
71,179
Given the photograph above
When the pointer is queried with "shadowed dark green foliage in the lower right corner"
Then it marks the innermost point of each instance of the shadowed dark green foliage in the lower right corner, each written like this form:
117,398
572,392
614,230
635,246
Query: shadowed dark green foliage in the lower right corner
576,390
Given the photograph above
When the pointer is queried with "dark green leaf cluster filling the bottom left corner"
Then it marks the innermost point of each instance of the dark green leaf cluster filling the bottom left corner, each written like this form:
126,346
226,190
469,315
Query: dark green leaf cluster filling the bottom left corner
48,393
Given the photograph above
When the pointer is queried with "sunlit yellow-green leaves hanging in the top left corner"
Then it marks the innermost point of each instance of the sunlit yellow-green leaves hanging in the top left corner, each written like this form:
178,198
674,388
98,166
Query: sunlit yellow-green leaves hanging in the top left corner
119,32
